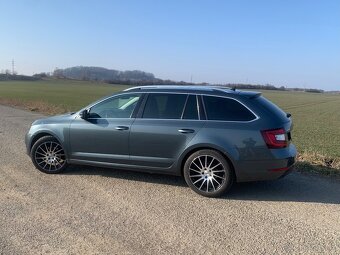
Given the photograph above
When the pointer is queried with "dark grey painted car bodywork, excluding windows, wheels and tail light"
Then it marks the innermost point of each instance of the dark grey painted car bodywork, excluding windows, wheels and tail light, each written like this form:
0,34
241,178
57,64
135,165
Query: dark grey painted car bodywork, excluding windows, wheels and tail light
157,145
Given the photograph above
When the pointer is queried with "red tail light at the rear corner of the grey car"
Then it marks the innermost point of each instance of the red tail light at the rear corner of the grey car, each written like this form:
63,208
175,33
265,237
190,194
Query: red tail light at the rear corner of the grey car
275,138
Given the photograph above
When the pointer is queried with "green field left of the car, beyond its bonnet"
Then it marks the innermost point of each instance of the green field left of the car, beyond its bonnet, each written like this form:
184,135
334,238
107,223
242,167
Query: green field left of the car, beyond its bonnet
66,95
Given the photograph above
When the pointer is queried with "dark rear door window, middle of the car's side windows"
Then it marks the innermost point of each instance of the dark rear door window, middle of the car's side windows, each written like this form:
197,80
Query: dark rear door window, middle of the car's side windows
164,106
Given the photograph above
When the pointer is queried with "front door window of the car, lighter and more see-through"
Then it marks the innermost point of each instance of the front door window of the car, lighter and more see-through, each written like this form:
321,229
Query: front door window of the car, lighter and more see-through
115,107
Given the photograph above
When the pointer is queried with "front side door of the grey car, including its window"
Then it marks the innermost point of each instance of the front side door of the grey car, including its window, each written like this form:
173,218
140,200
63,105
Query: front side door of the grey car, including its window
103,136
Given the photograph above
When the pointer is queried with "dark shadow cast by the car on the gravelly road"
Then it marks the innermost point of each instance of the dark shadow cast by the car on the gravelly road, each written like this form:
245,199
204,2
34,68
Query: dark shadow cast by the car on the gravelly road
295,187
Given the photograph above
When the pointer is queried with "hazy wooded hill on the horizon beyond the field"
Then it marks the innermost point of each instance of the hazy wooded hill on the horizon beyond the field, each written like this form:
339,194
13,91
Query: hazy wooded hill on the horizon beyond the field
91,73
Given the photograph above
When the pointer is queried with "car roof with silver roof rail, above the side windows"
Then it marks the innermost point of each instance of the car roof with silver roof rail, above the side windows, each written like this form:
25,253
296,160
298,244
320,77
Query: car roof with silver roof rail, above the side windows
207,89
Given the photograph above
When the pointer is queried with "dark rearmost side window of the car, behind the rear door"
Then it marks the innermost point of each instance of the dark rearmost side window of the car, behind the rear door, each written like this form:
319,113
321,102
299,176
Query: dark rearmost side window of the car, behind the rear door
226,109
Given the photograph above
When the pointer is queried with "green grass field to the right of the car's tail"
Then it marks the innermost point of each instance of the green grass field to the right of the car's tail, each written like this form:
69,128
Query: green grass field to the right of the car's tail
316,120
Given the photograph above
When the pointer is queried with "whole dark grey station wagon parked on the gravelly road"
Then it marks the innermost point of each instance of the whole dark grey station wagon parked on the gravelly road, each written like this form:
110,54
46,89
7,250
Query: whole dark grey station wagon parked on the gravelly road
213,136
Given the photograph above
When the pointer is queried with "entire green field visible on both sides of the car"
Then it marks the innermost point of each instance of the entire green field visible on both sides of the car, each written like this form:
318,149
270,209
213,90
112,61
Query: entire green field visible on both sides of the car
316,116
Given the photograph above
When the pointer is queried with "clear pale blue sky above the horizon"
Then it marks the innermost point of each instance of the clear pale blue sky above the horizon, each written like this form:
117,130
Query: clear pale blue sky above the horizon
284,43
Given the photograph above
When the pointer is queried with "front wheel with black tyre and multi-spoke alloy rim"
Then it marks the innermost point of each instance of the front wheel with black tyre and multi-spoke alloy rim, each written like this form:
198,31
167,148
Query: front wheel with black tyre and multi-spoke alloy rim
48,155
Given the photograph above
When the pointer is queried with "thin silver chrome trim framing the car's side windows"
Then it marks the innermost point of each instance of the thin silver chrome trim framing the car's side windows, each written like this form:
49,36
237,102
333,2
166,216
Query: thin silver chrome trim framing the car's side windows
183,93
